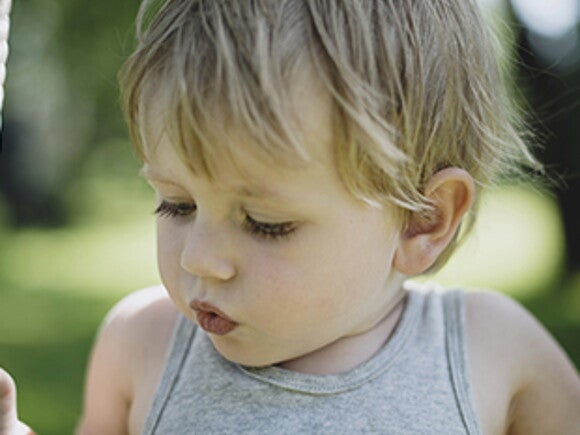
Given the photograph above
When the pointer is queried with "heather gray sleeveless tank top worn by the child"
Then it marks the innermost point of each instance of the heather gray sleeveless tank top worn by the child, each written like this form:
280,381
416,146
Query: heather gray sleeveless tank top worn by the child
416,384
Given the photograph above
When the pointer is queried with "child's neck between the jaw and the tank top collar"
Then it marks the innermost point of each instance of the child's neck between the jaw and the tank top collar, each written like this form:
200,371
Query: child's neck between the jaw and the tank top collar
349,352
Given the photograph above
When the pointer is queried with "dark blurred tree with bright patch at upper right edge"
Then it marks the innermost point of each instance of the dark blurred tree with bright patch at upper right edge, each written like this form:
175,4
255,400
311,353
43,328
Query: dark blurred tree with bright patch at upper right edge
548,54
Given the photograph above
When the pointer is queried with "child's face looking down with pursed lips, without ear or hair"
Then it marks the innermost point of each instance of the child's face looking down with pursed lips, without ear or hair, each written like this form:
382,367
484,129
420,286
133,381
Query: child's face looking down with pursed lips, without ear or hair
287,254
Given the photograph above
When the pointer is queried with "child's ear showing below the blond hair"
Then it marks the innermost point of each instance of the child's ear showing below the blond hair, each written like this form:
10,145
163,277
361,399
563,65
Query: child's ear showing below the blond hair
452,192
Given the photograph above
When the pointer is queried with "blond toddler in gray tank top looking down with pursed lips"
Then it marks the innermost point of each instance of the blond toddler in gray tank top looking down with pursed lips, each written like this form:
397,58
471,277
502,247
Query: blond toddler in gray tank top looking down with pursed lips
309,156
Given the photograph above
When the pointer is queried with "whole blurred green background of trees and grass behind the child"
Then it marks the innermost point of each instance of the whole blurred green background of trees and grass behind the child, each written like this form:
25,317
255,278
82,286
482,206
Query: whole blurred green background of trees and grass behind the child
76,222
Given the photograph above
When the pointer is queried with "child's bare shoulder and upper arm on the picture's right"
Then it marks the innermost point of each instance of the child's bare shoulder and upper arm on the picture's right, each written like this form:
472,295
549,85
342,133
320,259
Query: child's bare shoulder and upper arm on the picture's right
523,381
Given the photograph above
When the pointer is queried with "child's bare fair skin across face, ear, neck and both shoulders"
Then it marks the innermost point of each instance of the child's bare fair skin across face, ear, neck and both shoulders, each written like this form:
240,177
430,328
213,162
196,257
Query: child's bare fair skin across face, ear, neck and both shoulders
321,298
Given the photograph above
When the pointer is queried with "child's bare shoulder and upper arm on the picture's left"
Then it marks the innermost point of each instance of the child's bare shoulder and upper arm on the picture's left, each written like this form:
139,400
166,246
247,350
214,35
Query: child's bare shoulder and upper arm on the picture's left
126,358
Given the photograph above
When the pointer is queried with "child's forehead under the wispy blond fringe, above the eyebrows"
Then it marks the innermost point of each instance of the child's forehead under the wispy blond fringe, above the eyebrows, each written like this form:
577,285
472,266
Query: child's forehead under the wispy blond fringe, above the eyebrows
307,113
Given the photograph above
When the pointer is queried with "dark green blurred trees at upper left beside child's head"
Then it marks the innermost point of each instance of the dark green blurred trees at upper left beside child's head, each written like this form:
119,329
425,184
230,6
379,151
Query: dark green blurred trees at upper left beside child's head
61,99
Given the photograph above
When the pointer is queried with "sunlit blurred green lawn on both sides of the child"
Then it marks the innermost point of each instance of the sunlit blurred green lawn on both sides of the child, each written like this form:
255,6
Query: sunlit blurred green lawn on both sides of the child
56,285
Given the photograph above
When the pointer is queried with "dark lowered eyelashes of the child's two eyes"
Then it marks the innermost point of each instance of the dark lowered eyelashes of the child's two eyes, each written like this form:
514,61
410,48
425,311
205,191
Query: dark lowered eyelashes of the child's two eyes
270,231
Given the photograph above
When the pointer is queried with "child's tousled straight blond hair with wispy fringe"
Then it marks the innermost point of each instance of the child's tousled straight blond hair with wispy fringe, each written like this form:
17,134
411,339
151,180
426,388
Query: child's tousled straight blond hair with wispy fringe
415,88
